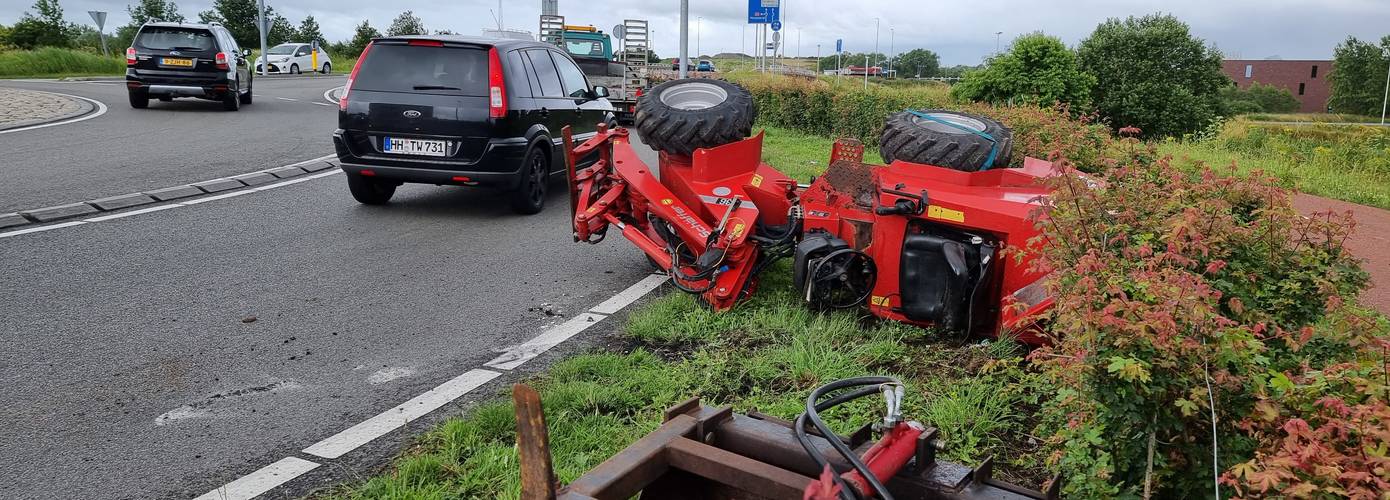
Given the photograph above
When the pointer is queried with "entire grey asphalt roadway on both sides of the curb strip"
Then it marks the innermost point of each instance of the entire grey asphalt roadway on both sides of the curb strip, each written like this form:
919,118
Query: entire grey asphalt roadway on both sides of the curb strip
130,369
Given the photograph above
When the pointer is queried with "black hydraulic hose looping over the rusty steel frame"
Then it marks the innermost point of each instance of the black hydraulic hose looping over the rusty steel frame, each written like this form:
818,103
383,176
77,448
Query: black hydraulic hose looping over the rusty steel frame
812,415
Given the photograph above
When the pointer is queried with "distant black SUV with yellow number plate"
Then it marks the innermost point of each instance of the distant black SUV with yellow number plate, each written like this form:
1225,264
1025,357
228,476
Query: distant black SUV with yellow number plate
170,60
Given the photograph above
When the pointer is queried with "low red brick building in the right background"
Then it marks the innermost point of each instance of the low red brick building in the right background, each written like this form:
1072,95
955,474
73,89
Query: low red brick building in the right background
1306,80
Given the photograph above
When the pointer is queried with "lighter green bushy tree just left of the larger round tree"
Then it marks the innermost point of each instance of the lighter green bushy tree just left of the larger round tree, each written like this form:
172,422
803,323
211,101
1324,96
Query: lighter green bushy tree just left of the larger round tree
1036,70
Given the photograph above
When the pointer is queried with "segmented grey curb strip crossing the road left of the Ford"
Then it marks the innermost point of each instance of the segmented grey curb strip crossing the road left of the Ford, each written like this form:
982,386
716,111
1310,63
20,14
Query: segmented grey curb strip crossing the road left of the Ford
195,190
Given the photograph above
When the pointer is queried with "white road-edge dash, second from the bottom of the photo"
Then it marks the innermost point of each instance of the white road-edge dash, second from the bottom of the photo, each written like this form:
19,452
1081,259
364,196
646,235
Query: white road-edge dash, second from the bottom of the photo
394,419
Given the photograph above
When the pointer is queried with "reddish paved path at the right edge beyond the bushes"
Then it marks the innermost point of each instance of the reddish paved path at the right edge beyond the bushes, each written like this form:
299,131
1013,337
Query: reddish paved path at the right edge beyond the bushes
1370,242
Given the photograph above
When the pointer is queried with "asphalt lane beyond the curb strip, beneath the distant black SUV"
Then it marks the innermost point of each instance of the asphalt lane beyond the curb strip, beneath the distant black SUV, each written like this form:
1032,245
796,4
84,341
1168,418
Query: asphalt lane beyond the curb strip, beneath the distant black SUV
173,144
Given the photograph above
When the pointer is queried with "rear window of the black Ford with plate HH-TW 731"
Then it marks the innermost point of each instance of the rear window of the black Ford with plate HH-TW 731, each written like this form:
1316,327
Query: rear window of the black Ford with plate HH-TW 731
422,69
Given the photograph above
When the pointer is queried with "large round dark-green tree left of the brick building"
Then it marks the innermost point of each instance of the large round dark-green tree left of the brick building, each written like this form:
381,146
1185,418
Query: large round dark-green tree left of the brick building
1153,74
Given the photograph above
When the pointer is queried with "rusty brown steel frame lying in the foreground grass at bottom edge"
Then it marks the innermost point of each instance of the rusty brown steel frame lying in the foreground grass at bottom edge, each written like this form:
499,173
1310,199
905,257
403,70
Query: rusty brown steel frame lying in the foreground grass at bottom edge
714,453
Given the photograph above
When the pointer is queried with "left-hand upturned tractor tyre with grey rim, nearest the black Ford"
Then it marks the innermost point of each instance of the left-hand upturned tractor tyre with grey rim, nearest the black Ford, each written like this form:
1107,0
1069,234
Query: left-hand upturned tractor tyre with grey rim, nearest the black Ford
683,116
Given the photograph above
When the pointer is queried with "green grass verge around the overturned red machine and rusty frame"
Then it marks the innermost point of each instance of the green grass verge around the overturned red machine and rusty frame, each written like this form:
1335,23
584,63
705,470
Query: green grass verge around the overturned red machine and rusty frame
765,355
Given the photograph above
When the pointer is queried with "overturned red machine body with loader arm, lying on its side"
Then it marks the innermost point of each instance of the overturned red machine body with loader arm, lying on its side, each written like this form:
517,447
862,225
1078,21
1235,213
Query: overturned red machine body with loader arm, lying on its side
913,242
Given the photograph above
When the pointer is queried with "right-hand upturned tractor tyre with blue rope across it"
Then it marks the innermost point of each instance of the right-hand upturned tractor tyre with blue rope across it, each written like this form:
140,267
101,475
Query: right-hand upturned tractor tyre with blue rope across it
924,141
